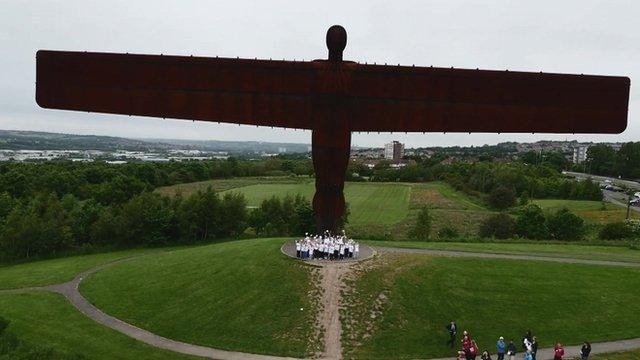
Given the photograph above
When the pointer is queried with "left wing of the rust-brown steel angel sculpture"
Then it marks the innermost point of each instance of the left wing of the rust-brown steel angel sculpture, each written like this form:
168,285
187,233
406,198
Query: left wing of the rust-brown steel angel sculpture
255,92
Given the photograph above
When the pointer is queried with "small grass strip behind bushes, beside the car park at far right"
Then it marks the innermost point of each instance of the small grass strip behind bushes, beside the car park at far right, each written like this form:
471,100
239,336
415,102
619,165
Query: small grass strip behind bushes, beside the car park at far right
595,212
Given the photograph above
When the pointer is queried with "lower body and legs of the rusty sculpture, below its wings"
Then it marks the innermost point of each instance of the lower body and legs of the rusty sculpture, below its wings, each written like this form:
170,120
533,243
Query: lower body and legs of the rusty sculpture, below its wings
330,150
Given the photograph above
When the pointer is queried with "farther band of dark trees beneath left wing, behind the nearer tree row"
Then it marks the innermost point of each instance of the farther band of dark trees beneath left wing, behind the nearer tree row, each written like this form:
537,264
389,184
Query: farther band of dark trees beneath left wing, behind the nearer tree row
116,184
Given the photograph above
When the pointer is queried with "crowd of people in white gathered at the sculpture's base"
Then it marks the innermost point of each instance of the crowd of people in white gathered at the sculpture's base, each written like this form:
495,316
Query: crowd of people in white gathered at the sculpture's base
327,247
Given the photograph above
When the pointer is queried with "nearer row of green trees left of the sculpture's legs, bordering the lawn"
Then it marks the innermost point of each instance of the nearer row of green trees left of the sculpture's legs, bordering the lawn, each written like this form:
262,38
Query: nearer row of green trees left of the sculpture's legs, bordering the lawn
46,225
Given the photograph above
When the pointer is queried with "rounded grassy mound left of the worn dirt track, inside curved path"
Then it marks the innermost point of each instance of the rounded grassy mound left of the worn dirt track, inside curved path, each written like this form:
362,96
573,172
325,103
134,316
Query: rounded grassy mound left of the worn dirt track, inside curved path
242,295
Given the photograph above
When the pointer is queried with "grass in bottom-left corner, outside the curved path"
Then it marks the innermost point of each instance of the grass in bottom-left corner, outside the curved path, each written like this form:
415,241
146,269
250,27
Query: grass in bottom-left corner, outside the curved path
47,319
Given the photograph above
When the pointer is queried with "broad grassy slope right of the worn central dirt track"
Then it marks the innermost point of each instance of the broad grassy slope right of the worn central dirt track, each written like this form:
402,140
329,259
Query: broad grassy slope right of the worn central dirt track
492,298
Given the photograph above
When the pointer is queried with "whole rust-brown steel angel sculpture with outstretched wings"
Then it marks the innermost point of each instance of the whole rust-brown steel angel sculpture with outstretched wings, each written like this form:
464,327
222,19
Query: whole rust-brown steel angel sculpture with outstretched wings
331,98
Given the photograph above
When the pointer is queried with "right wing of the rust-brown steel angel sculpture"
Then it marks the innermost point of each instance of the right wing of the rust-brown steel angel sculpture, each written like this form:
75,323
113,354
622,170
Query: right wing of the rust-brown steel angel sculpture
414,99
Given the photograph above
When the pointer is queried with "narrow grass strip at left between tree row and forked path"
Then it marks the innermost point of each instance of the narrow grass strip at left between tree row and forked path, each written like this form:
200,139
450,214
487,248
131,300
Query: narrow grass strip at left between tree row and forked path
54,271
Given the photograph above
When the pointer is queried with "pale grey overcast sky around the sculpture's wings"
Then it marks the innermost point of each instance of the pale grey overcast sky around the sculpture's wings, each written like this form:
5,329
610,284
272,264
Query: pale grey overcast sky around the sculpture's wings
591,37
